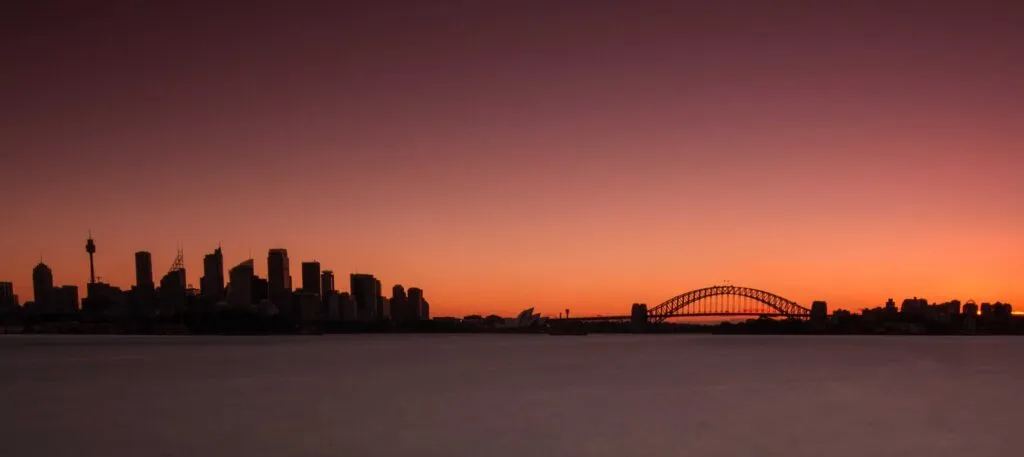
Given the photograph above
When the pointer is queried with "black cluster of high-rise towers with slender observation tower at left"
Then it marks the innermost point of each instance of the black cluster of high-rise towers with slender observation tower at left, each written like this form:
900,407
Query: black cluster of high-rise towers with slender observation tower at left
317,299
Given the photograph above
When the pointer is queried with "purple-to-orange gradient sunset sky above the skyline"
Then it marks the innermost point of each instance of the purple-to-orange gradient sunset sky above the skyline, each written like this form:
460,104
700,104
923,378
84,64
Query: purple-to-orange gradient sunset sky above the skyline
511,154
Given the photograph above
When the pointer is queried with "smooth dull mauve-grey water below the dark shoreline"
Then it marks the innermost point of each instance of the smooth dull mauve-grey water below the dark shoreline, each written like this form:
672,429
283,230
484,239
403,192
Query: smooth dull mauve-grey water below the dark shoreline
511,396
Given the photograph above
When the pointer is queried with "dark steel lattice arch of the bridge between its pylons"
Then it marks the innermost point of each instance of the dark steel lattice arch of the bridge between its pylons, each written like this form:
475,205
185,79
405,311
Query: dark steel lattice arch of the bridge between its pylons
676,306
